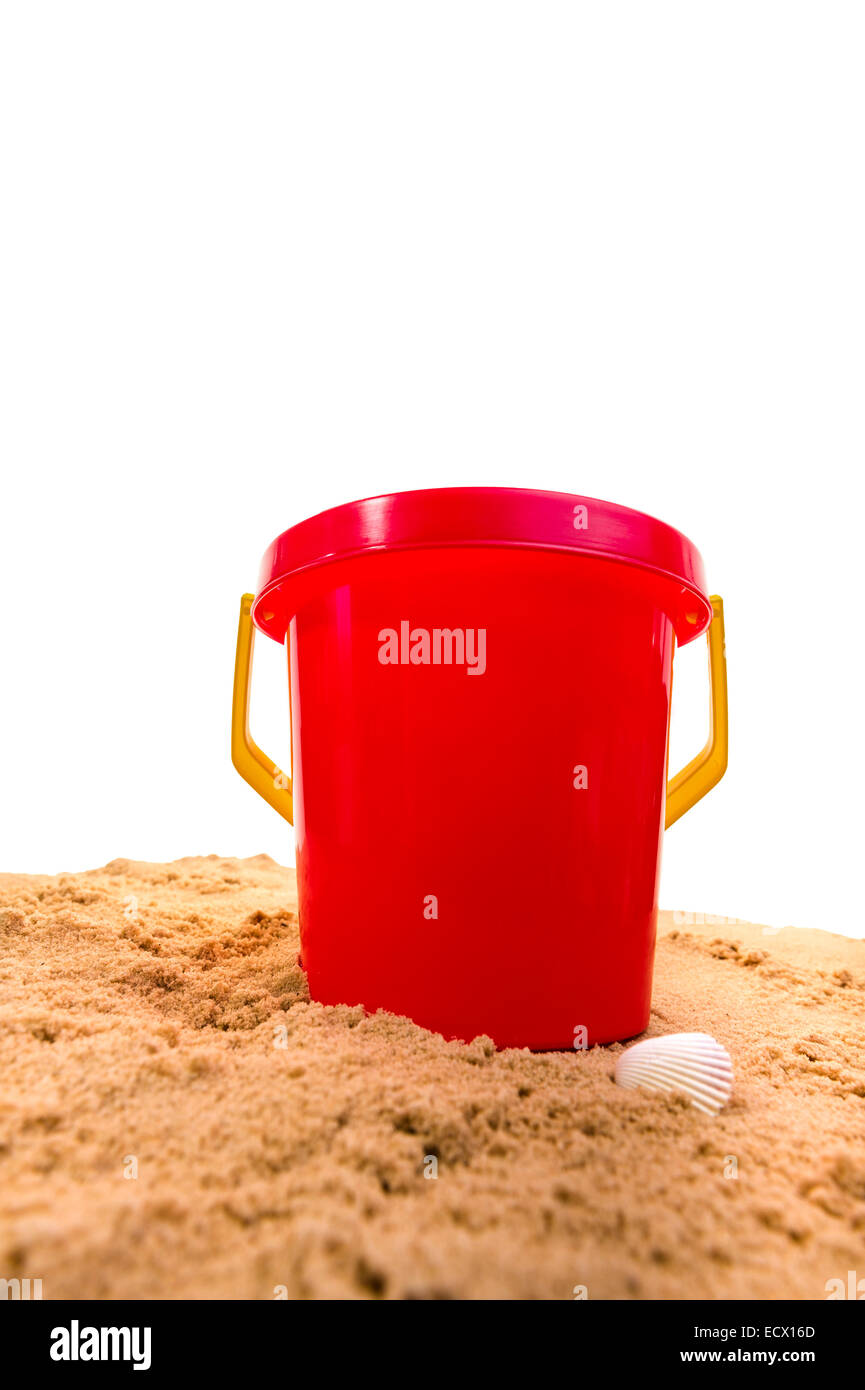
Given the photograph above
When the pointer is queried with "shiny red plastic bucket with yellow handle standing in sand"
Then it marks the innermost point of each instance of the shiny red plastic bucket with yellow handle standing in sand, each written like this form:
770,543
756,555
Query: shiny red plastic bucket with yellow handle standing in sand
480,697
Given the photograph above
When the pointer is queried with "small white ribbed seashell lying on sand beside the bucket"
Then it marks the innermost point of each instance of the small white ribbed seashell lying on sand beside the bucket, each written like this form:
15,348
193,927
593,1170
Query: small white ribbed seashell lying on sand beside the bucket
689,1063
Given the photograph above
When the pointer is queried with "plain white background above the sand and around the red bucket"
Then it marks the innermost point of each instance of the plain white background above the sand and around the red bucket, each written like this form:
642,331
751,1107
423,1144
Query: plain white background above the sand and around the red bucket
261,259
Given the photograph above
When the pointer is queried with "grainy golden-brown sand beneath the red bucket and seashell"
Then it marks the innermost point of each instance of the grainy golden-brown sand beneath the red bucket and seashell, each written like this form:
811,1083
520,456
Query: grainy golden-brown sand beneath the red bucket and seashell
177,1121
